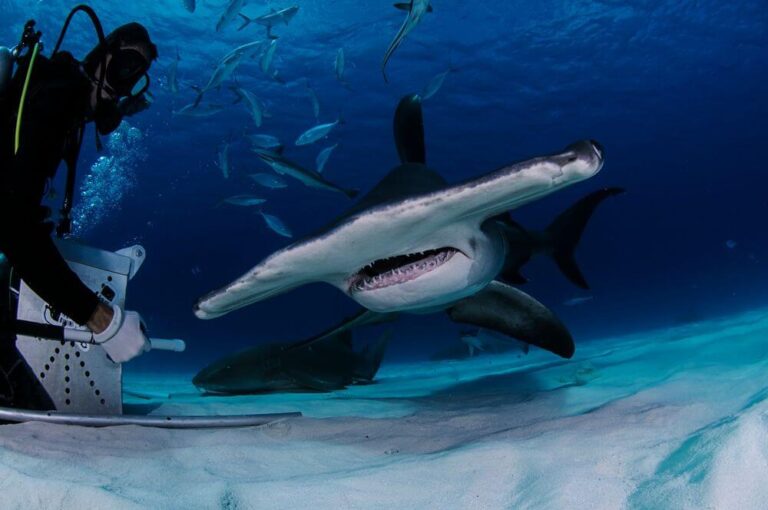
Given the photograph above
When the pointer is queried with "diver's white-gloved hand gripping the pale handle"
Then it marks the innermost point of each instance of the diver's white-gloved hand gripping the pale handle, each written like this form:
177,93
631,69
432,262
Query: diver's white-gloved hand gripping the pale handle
125,337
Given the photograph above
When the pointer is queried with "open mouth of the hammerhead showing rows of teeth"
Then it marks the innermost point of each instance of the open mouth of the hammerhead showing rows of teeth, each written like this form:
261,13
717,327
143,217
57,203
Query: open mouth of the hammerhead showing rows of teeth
399,269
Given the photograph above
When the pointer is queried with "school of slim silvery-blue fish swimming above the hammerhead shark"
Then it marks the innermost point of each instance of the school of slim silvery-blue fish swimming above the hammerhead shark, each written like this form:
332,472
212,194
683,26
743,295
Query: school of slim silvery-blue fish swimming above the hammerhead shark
265,54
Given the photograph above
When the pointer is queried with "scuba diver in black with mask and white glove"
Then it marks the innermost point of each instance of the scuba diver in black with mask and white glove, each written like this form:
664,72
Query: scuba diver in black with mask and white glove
44,108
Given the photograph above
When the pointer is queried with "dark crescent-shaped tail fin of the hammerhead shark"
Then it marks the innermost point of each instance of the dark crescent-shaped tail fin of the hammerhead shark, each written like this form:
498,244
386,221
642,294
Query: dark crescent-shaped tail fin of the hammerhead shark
566,230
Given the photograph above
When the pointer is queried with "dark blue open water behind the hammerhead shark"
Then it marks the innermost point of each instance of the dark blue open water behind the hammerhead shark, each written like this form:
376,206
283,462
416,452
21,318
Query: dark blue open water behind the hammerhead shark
675,91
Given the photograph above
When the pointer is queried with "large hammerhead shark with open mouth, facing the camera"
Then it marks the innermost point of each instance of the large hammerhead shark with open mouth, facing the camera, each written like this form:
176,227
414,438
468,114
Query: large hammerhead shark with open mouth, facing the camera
419,245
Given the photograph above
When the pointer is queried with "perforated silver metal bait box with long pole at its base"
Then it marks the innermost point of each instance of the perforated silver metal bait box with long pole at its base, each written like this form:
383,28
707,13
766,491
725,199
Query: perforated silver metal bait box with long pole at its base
84,384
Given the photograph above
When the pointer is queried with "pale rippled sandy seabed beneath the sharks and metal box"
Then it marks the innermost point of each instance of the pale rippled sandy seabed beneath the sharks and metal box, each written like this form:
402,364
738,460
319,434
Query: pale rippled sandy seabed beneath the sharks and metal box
675,418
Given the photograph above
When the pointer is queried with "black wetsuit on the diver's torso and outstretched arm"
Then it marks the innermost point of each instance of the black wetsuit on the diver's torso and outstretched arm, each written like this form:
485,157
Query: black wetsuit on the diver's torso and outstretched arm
54,115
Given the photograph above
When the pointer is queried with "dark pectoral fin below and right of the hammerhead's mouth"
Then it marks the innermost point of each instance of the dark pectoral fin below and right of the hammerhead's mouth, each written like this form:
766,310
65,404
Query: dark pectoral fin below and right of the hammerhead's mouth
514,313
